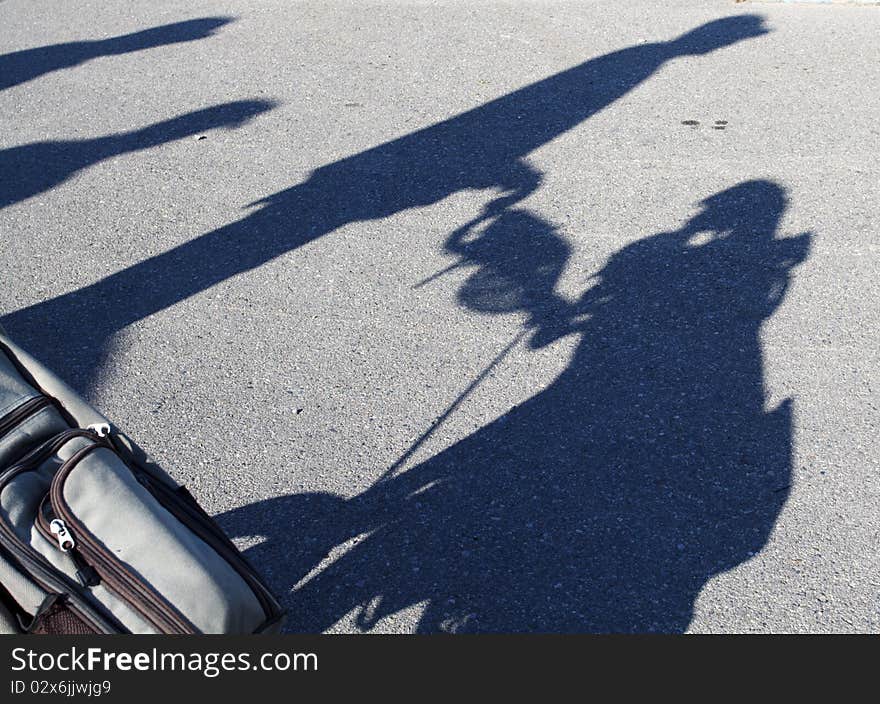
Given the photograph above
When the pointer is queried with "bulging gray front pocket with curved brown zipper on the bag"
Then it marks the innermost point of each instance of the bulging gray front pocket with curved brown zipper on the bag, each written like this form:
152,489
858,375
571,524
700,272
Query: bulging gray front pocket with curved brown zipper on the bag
158,555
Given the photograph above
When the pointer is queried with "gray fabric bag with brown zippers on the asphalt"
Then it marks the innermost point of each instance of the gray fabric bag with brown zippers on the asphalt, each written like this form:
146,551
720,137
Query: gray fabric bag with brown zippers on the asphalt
95,537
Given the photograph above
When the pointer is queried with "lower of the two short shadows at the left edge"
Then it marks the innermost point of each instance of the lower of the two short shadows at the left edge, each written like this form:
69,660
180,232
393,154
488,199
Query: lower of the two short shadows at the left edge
32,169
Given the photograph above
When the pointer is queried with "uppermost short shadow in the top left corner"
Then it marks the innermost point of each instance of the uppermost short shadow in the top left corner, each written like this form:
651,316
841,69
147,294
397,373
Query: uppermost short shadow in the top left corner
22,66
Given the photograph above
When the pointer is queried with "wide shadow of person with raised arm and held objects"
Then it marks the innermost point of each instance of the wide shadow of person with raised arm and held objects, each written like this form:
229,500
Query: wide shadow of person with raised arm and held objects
605,501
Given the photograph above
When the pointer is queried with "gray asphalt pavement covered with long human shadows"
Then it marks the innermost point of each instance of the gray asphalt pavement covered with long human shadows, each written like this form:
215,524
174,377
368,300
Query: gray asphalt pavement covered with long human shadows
470,317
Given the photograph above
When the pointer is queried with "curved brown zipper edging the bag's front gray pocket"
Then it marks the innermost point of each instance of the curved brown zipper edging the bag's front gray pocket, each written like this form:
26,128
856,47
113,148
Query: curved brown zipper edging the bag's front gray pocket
131,588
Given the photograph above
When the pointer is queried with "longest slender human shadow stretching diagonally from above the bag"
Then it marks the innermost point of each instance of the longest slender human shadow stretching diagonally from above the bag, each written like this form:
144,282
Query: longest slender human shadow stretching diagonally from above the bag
486,147
